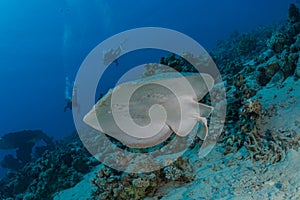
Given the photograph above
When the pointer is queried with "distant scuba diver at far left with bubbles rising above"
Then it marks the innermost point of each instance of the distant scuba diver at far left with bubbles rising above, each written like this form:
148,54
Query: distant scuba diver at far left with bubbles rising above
70,100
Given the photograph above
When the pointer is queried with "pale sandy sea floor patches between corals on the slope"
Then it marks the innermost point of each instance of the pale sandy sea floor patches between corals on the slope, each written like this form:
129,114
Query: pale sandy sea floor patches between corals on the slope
235,175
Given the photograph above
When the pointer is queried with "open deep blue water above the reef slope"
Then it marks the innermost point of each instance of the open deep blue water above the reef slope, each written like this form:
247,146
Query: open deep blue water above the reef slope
42,42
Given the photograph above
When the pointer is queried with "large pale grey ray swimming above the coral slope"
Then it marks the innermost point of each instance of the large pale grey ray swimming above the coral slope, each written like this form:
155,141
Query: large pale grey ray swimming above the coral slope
145,112
